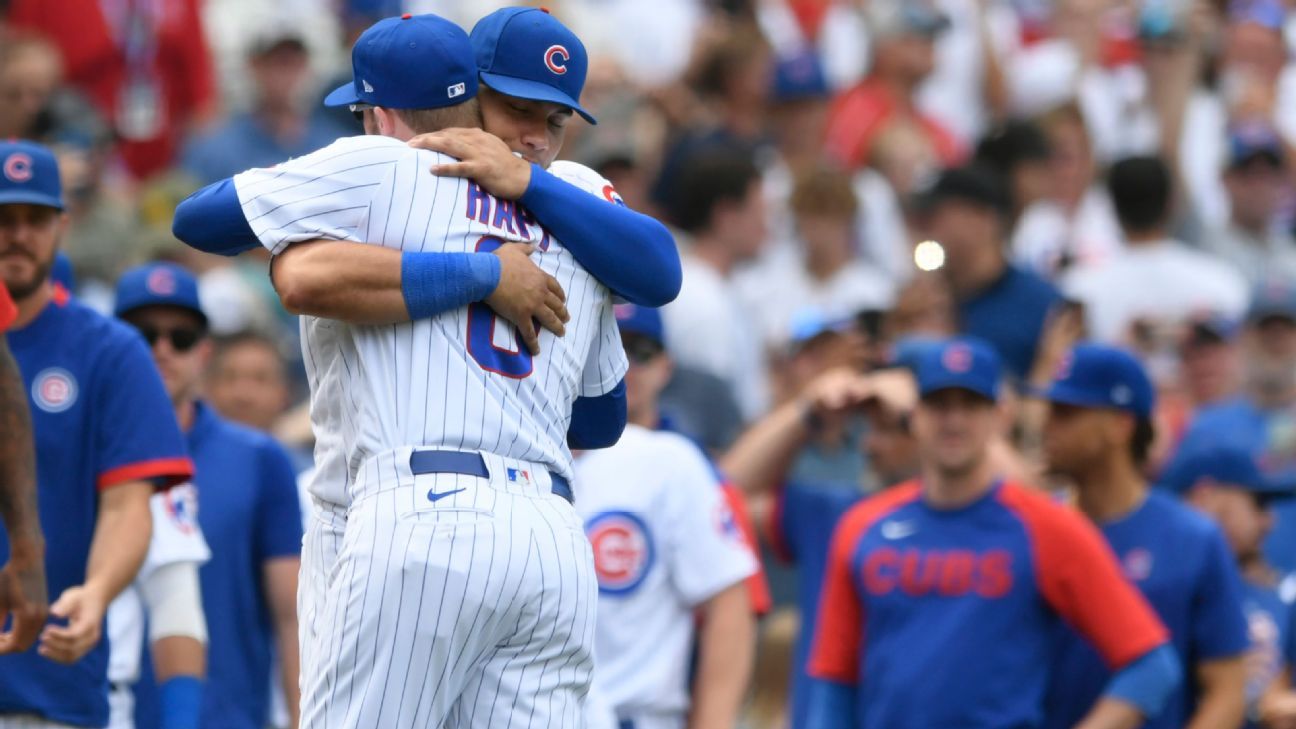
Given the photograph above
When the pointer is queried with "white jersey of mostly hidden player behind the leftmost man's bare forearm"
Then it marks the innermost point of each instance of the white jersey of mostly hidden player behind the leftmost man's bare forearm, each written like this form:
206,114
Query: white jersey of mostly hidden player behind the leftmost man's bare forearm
177,538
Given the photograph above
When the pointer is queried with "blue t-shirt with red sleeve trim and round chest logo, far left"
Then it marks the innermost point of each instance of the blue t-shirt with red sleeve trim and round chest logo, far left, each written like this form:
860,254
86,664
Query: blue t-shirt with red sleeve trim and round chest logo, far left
102,418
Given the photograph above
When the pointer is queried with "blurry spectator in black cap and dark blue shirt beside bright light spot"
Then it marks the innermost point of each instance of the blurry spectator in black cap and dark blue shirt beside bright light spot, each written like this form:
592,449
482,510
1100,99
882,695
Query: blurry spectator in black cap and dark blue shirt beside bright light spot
966,212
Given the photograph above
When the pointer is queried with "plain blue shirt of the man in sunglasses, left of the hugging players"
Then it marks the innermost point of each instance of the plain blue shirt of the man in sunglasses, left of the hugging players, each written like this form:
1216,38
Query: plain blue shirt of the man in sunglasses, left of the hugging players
251,514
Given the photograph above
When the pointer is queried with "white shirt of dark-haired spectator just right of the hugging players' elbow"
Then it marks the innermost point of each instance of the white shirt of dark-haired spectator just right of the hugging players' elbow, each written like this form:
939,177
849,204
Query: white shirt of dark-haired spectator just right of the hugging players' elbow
710,329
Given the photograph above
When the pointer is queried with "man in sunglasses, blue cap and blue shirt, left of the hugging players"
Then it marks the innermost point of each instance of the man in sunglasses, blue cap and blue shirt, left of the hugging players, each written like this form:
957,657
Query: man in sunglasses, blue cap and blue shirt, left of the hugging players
247,508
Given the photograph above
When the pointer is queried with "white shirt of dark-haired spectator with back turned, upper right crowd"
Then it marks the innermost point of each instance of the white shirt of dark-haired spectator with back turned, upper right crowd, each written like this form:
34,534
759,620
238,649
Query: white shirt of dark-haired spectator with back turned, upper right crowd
1157,282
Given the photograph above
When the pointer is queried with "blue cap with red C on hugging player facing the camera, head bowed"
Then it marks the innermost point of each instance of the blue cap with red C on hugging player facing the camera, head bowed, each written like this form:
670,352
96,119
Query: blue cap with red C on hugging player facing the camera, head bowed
528,54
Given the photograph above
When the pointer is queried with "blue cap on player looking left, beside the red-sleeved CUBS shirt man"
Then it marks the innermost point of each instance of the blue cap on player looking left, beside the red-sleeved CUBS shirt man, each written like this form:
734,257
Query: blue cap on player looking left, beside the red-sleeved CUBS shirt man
1104,377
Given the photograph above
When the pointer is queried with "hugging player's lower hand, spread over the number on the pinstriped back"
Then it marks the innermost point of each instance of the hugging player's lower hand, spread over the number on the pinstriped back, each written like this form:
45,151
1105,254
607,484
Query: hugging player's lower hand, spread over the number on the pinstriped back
527,296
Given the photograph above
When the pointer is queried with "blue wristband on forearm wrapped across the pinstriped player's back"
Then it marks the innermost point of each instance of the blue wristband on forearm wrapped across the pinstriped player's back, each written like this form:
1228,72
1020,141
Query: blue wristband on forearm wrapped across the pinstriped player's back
435,283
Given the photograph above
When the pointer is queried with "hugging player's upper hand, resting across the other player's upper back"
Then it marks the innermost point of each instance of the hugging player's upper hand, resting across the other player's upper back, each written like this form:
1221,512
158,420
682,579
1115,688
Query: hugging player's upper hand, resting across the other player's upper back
483,158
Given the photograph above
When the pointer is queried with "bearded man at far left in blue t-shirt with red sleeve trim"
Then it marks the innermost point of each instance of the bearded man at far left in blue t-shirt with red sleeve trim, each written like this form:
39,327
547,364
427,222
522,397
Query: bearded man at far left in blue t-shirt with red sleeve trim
106,439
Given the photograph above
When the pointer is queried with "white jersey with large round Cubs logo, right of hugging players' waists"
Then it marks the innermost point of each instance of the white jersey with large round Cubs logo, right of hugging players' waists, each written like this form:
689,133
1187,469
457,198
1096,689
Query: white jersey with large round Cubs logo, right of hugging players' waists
664,543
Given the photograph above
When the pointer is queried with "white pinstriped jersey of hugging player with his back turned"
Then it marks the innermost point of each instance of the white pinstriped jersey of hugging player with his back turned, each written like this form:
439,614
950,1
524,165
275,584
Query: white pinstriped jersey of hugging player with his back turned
458,381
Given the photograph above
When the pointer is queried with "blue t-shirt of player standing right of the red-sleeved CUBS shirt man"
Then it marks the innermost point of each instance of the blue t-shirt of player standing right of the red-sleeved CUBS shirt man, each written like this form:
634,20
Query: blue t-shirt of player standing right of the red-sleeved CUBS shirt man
1181,564
